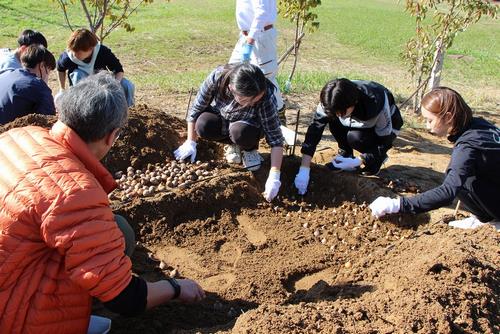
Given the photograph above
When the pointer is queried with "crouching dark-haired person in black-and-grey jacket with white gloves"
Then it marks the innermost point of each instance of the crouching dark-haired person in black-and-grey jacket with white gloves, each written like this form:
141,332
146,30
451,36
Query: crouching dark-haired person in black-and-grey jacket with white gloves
362,116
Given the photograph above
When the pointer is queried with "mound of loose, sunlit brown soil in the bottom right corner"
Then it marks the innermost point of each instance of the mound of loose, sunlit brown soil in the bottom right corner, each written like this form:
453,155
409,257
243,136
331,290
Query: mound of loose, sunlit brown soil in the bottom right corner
412,287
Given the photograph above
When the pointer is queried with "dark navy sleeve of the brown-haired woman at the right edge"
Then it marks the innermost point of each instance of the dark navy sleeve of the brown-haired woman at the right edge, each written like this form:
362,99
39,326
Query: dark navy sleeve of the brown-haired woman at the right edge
462,166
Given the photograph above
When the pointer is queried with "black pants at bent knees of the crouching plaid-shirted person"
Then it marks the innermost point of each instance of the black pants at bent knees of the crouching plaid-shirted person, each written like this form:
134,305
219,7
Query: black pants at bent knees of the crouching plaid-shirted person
211,126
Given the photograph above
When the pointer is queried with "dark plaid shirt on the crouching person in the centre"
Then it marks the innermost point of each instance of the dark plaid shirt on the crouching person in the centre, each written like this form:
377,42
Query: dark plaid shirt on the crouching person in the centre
263,114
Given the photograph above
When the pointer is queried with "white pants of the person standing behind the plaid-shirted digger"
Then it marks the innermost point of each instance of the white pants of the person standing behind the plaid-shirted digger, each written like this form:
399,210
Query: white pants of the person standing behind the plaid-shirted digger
264,55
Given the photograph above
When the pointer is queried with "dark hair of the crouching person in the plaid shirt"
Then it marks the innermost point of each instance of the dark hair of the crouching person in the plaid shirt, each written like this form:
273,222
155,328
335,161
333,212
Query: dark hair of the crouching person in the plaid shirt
247,80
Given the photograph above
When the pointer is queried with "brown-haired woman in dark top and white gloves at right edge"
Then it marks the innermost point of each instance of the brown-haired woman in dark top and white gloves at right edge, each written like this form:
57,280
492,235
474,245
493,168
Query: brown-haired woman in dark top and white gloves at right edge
472,173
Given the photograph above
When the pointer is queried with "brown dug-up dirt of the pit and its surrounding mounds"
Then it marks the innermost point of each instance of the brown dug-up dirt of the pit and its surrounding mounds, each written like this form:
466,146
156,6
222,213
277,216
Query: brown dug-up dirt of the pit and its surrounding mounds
313,264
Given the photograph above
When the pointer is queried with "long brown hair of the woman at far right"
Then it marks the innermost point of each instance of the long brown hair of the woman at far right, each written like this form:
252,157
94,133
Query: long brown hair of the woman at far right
442,100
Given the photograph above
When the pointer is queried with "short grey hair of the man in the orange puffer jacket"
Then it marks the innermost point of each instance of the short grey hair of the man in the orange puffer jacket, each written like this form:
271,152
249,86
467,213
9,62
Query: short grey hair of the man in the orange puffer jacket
94,107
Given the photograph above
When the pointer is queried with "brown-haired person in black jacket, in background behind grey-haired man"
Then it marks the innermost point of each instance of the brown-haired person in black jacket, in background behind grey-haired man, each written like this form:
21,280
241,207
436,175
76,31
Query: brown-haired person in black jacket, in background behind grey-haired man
85,56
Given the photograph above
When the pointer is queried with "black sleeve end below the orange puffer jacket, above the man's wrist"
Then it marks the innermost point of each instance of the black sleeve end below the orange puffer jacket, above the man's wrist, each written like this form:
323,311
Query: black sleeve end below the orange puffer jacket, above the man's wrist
132,300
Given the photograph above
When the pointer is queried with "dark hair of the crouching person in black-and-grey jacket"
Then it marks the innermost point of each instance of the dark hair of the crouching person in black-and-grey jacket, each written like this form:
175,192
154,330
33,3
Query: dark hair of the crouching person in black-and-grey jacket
338,95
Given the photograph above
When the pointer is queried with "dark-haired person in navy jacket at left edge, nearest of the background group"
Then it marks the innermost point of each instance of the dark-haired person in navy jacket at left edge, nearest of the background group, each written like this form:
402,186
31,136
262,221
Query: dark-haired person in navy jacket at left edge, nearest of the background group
24,90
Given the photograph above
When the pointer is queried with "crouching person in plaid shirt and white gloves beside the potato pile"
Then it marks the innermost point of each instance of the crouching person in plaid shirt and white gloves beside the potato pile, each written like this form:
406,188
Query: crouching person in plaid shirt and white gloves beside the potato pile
236,105
